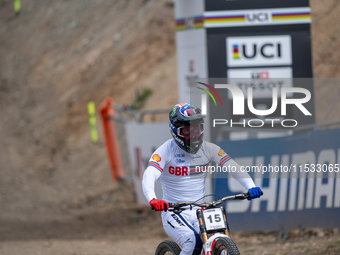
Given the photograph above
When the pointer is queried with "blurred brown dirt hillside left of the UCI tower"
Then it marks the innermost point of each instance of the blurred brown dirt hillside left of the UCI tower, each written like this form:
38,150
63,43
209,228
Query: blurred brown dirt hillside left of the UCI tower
57,55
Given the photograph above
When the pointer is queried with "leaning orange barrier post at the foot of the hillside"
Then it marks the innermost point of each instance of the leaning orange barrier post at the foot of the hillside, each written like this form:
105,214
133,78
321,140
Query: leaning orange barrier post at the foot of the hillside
112,145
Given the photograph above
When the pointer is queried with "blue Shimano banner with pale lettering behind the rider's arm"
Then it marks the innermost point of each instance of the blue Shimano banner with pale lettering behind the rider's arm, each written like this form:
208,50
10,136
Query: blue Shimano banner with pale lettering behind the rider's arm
298,174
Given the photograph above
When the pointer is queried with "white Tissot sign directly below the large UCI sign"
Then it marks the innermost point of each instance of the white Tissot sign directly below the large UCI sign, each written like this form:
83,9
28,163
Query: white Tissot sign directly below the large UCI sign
261,80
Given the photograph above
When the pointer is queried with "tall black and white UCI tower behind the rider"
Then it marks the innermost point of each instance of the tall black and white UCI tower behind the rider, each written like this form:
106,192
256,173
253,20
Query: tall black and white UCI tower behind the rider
262,44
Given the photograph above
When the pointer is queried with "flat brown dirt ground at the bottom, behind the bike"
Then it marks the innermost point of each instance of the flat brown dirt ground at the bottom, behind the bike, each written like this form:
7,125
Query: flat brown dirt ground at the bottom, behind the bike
104,226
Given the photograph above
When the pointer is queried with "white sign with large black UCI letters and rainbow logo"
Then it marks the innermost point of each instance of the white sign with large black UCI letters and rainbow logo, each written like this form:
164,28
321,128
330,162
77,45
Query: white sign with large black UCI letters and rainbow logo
259,50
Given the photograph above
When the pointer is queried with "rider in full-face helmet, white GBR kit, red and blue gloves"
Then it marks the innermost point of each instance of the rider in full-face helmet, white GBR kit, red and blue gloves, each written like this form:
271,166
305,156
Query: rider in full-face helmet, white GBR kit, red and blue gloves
176,162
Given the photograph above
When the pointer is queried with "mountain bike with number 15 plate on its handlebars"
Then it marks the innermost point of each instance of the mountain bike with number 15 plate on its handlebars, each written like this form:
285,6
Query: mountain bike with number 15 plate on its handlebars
214,228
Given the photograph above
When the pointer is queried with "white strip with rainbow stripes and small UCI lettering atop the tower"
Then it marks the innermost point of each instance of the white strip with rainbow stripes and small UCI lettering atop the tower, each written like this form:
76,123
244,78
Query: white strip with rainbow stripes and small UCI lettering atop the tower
257,17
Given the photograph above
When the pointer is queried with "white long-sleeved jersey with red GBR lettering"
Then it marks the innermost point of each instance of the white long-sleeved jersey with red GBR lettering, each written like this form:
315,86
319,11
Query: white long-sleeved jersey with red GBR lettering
183,174
